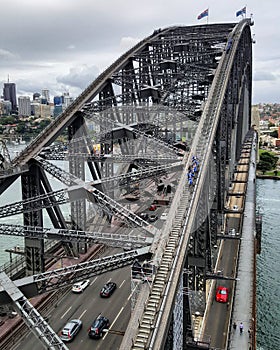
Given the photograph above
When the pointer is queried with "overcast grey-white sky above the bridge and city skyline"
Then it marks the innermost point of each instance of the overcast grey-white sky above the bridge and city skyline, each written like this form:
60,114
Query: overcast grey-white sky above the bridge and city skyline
63,45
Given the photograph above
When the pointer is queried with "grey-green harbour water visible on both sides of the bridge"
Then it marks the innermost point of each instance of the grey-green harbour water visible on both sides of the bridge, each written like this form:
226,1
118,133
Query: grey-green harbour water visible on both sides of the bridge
268,262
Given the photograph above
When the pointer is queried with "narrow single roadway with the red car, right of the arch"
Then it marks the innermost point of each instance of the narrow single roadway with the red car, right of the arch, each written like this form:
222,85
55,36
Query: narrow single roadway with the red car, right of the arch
217,321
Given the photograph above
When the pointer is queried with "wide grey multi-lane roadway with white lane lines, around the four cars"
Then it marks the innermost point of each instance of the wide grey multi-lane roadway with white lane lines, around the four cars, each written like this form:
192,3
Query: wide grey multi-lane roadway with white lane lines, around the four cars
87,306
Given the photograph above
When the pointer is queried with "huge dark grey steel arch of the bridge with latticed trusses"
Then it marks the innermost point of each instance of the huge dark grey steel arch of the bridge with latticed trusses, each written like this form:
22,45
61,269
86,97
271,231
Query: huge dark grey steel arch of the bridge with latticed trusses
169,115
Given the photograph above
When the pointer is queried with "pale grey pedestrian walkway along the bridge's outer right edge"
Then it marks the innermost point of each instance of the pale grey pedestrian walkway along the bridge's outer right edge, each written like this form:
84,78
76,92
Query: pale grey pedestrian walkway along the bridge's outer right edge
244,293
